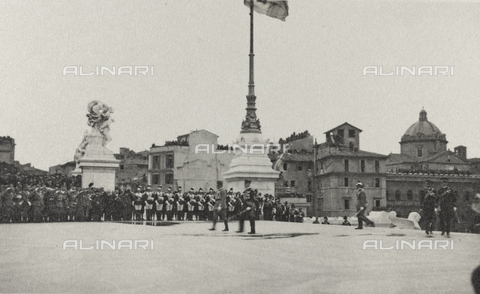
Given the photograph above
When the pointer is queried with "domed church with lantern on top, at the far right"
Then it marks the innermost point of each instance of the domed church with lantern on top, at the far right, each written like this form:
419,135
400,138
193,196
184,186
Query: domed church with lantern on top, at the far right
424,157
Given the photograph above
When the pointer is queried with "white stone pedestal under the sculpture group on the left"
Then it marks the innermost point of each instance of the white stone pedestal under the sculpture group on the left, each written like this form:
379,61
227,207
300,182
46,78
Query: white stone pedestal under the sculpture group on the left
98,165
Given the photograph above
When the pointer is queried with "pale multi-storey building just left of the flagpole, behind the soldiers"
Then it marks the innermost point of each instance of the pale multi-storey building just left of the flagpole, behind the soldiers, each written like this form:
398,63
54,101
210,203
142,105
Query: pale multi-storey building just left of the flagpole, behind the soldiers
192,161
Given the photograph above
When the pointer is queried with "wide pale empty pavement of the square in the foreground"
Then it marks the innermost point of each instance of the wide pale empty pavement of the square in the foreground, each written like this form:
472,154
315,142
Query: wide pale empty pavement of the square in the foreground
188,258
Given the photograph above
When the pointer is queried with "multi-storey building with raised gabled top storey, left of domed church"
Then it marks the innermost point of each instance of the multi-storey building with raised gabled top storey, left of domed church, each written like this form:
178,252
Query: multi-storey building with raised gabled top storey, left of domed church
340,165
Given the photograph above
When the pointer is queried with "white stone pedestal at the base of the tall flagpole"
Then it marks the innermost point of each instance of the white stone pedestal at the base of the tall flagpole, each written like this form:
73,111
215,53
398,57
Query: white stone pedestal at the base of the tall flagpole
251,163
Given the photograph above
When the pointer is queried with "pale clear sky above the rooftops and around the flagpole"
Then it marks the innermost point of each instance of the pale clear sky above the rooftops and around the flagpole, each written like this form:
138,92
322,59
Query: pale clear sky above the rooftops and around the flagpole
308,71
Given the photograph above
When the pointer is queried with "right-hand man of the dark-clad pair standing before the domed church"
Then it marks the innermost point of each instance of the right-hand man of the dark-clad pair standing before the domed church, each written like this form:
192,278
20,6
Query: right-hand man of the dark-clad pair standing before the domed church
447,206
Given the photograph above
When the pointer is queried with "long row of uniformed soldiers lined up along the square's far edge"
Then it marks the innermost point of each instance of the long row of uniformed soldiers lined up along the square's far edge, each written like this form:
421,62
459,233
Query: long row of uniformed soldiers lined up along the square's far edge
45,204
